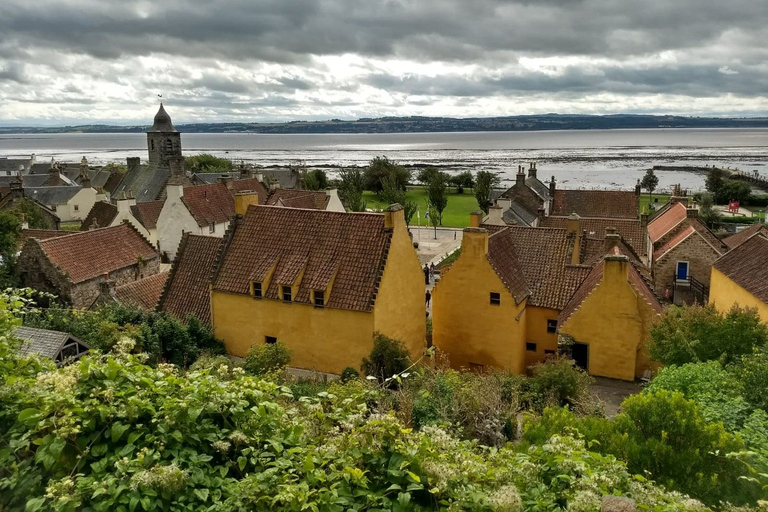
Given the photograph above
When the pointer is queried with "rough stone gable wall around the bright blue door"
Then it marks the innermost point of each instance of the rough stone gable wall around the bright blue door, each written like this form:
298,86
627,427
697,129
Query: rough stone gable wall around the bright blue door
696,251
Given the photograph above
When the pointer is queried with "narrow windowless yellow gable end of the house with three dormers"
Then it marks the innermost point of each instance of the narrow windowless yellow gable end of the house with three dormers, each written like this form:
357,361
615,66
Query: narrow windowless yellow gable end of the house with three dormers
400,310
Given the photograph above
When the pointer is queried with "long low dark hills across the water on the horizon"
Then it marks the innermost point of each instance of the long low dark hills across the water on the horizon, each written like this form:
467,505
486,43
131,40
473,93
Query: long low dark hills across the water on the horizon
432,124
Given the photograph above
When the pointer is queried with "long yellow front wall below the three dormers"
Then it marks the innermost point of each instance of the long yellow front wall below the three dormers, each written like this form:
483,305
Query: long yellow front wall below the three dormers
325,339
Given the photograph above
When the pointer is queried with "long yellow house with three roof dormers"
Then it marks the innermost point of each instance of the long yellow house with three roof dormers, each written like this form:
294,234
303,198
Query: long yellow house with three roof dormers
323,282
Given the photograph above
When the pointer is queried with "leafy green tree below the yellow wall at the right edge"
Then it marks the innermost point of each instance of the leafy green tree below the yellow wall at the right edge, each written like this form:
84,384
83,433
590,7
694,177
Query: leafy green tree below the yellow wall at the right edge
690,334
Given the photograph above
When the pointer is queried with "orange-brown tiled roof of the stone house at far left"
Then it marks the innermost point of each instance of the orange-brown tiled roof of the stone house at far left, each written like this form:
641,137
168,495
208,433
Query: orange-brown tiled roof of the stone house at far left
88,254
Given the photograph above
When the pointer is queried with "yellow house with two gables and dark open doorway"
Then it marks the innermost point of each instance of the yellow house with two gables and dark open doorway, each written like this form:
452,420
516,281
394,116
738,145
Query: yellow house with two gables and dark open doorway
517,294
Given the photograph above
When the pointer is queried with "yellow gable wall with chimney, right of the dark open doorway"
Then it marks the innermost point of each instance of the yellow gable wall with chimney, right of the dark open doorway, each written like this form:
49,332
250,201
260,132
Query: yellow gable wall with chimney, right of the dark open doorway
614,321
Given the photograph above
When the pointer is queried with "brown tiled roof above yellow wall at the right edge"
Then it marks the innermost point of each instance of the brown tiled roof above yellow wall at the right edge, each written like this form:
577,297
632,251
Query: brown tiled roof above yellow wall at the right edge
745,266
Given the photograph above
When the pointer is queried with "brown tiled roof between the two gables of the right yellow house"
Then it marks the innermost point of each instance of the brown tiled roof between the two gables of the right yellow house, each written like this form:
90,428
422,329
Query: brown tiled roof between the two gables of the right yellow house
544,256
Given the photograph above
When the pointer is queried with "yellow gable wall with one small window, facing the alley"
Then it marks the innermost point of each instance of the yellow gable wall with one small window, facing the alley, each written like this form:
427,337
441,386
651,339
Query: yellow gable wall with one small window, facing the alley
466,326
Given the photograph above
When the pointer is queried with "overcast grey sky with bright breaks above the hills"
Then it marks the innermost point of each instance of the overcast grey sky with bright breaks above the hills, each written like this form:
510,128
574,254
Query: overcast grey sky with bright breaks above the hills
65,61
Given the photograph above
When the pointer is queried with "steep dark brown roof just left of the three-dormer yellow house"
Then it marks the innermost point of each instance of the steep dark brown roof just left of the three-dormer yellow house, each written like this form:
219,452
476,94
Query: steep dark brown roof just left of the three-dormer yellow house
187,290
